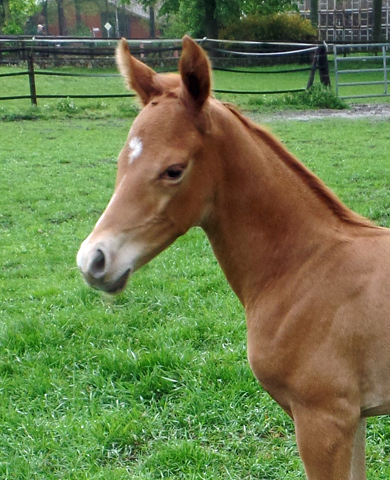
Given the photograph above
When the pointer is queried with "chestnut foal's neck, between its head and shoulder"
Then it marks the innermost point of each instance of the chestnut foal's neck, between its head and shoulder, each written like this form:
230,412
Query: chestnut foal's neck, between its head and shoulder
270,214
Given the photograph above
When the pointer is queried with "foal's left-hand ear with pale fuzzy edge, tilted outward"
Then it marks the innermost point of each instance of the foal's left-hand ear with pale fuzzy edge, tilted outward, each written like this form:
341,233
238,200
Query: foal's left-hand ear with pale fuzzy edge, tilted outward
138,76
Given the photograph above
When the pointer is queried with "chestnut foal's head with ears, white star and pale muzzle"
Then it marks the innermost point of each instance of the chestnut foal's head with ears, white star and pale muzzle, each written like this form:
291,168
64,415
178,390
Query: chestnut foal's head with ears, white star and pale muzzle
163,184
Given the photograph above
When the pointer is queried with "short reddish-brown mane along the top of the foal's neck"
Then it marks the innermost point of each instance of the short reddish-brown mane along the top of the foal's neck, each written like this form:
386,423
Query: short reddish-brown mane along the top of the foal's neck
312,181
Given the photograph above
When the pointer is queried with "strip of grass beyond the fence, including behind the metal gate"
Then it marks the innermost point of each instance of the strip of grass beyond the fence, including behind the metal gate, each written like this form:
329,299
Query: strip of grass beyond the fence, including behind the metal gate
271,79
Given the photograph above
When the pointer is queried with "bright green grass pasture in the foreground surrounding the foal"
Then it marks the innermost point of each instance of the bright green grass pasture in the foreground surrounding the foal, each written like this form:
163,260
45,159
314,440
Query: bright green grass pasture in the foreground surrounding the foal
153,383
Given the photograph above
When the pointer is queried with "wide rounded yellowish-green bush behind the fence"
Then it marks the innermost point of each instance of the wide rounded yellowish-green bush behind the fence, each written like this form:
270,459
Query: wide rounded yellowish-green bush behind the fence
271,28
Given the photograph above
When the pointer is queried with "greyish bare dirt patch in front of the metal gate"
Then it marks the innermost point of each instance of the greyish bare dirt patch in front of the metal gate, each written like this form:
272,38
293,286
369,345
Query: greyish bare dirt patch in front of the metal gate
358,110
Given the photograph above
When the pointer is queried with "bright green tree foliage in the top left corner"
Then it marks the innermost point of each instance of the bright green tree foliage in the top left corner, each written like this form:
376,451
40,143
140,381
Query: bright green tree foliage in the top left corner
14,14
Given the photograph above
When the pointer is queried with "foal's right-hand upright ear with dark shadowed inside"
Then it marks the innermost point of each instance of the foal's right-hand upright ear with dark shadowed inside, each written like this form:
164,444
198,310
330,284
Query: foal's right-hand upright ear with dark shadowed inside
195,71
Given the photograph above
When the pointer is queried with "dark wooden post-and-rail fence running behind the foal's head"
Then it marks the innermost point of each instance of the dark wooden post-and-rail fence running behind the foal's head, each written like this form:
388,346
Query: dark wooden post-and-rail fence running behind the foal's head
225,55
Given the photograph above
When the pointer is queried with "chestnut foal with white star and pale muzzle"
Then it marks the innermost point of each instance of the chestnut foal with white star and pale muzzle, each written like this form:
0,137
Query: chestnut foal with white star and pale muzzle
313,276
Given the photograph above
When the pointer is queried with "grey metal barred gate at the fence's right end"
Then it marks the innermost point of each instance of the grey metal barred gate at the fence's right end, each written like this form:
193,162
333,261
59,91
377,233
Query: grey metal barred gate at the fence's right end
360,60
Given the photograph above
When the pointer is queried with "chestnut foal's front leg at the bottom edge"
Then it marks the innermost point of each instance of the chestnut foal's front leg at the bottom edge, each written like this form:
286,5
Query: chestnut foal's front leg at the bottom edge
326,444
